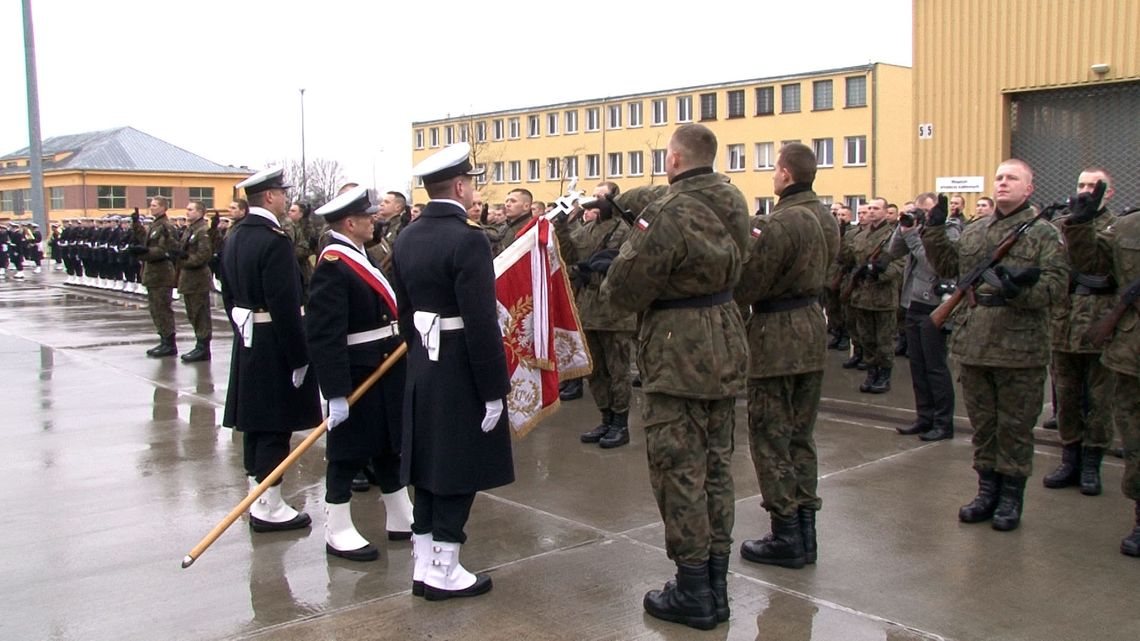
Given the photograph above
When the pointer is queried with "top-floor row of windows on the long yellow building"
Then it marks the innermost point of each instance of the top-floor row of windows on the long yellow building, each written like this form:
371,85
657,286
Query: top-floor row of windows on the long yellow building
631,116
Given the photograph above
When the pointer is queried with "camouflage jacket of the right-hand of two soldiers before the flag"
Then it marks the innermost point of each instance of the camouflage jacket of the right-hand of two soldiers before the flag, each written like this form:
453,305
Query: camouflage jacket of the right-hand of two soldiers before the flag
788,258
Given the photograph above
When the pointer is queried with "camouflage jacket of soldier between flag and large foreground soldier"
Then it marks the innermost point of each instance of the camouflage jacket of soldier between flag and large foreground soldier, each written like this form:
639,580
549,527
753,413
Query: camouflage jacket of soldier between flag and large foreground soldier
579,246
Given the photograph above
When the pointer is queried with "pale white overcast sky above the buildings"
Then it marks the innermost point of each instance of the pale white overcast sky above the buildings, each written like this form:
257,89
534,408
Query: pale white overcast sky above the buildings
222,78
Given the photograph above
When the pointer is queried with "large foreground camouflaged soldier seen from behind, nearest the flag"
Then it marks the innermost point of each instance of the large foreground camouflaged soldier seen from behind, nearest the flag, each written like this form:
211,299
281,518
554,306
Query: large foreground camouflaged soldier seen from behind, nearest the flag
683,258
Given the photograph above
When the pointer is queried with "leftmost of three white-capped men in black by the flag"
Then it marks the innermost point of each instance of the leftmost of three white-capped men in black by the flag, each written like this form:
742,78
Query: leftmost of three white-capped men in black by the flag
270,396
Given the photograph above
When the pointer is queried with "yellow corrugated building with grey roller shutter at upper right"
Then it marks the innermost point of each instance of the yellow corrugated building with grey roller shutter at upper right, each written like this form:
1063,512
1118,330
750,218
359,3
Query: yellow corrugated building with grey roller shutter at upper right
1054,83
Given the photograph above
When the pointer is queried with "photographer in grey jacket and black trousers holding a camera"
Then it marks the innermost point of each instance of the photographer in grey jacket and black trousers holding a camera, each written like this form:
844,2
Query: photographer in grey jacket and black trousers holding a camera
926,345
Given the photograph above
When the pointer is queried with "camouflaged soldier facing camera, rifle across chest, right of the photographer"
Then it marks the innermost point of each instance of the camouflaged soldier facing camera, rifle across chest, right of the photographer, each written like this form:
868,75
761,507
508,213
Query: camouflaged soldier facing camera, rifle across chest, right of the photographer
999,344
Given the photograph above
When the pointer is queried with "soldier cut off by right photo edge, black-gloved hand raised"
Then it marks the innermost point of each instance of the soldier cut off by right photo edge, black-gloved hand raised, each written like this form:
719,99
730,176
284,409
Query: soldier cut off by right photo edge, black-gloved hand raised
1115,250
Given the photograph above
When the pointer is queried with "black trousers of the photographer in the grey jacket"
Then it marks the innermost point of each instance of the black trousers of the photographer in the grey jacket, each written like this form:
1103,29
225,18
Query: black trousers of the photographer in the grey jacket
926,351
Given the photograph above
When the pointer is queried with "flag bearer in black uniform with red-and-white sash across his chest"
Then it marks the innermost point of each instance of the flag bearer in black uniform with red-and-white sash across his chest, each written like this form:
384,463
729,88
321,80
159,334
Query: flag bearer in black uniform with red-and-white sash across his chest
352,328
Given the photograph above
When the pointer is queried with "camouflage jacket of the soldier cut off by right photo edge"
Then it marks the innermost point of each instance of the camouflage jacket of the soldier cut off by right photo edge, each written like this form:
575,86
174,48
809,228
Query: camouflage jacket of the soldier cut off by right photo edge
1115,250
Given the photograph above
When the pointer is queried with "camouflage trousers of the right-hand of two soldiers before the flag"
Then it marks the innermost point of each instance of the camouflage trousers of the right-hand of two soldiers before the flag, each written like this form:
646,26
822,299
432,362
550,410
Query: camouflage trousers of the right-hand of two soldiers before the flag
781,426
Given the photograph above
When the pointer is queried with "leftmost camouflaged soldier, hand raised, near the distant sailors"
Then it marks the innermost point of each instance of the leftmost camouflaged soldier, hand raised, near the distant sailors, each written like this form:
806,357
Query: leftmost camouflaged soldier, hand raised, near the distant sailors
153,246
